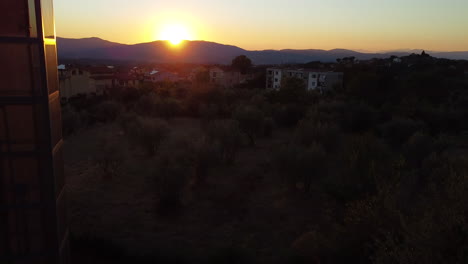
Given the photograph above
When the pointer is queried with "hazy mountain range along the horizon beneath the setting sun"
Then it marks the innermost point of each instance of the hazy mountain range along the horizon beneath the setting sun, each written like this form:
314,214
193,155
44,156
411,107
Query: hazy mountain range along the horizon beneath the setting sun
211,53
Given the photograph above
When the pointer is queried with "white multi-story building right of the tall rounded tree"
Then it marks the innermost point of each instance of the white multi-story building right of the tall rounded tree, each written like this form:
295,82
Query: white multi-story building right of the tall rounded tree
312,79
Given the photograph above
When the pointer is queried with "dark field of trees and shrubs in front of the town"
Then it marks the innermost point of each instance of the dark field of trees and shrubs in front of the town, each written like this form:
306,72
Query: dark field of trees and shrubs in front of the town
373,173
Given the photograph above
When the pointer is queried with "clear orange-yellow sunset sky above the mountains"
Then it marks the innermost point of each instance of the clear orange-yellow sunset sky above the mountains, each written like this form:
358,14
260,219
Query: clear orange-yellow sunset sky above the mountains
275,24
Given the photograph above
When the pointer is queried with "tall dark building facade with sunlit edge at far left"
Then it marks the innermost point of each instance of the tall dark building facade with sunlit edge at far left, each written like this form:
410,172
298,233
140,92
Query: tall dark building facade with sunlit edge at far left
33,219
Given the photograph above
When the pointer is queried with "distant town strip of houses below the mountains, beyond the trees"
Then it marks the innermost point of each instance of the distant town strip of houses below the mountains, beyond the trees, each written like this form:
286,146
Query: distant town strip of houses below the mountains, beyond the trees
77,80
